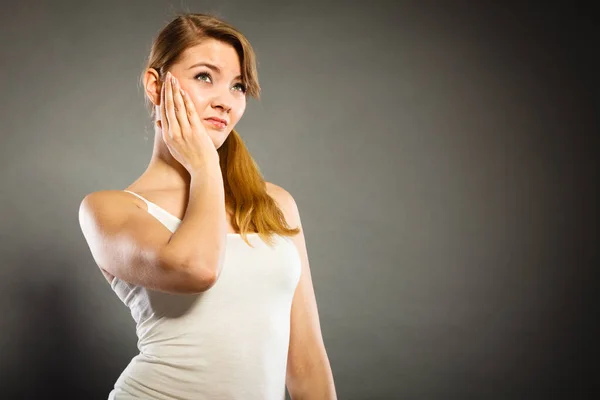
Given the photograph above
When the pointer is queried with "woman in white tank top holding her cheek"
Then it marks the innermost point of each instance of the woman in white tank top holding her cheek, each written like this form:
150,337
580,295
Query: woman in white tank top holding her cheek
210,258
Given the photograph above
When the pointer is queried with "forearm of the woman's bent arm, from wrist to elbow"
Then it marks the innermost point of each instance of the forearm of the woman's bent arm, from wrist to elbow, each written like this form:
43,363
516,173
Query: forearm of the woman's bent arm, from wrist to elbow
200,239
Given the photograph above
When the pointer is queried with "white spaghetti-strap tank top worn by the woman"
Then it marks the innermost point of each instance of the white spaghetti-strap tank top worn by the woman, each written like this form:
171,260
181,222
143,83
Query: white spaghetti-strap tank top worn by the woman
229,342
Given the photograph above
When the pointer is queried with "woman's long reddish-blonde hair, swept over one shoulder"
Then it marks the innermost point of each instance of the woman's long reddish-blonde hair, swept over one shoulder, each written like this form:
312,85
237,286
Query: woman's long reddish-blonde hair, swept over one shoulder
246,198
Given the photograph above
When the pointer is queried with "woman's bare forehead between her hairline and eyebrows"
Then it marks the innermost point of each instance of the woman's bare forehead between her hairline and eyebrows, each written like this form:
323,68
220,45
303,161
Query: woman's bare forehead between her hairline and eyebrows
220,54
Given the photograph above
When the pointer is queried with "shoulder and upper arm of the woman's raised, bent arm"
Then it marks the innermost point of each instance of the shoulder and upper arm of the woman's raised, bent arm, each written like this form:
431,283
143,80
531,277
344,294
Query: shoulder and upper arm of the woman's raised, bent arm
129,243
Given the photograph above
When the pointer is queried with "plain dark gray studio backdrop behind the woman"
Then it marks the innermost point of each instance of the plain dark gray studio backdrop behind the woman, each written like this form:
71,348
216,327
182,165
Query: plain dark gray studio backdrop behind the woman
438,153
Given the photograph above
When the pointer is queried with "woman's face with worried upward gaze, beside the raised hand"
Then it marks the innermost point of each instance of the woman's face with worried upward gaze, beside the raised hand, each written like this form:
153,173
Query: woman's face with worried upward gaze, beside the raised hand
210,74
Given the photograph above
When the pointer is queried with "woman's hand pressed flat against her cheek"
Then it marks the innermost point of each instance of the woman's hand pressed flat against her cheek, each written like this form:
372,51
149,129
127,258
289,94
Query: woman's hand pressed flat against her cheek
182,130
